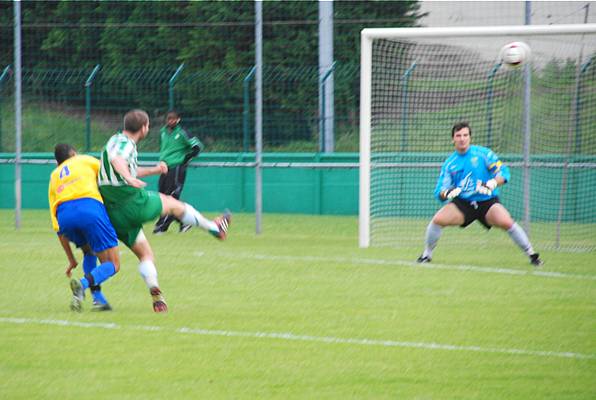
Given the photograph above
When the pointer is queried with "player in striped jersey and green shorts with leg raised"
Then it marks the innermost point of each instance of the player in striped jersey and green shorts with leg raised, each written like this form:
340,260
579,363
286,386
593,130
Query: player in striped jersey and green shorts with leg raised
129,205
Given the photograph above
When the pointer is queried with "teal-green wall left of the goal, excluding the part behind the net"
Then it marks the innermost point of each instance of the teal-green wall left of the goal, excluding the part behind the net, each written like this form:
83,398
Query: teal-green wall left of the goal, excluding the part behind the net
285,190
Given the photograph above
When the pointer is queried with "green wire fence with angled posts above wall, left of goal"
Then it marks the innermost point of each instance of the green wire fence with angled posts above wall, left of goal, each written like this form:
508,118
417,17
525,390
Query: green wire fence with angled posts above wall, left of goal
84,106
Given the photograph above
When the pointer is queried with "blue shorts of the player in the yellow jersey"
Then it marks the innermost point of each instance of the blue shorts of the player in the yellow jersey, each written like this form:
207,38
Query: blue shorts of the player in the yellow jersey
85,221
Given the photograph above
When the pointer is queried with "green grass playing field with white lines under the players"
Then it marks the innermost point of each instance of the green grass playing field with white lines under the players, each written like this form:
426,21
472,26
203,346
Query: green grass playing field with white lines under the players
298,312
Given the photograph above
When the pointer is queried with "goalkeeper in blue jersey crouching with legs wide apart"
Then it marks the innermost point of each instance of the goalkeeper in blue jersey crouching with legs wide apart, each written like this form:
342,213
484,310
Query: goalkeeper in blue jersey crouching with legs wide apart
469,181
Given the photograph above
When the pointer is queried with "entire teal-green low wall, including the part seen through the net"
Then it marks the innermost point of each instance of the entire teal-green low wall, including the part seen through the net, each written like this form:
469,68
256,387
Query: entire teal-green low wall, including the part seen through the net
331,191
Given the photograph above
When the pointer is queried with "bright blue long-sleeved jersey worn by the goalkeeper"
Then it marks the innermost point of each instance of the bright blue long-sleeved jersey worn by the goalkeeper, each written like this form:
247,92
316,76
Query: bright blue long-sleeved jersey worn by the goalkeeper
466,171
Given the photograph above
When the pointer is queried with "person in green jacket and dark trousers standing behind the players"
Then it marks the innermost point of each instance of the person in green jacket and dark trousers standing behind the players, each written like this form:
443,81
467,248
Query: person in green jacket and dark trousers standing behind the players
177,149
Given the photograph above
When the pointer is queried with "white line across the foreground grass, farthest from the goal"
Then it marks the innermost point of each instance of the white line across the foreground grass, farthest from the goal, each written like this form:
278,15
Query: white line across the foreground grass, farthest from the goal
302,338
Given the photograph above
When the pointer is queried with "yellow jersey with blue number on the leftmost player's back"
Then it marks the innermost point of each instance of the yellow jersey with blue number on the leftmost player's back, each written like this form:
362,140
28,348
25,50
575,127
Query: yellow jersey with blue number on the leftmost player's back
75,178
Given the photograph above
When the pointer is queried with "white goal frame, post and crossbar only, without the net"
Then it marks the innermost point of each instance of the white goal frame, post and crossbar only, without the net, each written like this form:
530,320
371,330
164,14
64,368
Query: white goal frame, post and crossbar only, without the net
367,37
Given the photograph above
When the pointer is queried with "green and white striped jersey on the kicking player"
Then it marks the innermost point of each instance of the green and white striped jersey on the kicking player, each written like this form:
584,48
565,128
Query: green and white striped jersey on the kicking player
119,145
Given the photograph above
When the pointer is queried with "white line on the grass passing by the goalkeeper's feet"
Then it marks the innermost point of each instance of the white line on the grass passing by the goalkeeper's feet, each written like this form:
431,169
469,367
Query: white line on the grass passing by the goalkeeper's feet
402,263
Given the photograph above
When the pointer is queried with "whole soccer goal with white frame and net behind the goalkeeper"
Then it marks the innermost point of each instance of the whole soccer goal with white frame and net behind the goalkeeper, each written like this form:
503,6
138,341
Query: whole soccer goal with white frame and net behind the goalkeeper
540,119
